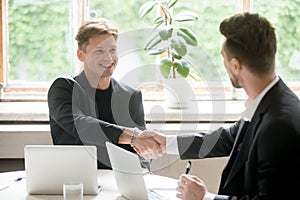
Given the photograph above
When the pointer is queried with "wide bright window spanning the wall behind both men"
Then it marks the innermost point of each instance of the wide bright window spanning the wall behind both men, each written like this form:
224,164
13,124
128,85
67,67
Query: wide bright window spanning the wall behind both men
38,38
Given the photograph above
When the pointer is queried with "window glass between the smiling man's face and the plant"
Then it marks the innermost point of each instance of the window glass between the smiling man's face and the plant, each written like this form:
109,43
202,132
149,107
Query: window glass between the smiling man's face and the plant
134,65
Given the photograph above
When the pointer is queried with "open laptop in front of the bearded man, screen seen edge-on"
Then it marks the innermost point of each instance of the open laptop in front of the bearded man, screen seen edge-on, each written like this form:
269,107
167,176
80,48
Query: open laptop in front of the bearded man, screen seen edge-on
131,182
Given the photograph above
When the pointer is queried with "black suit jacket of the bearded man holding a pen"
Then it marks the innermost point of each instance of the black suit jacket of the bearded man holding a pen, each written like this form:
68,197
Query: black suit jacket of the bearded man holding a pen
267,165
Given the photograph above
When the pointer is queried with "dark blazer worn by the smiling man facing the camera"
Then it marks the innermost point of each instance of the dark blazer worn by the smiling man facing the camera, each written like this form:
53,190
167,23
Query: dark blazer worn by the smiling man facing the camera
74,119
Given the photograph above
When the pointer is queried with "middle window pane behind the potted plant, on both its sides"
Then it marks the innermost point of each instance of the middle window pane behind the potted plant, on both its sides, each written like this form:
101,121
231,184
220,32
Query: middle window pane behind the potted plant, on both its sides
124,14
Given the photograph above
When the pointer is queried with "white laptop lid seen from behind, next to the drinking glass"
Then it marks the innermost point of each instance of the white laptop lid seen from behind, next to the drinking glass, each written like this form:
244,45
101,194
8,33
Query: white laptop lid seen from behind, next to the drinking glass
48,167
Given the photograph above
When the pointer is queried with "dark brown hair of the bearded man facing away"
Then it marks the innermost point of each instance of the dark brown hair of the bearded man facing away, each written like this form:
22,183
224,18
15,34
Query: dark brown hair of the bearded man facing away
251,39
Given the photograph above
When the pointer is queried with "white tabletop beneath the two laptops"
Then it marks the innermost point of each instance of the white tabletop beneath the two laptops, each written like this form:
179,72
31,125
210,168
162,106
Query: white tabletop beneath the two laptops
10,189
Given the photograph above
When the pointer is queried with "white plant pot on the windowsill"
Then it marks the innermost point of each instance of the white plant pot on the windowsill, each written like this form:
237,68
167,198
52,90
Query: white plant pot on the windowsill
178,93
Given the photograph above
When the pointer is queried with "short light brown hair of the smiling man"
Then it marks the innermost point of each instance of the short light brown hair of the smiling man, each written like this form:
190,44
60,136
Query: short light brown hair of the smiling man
94,27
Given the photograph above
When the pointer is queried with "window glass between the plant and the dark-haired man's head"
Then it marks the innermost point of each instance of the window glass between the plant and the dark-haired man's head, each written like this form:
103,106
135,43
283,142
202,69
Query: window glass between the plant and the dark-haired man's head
207,54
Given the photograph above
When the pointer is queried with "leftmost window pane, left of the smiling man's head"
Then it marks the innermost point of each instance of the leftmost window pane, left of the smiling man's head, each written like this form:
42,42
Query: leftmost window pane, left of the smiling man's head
40,39
